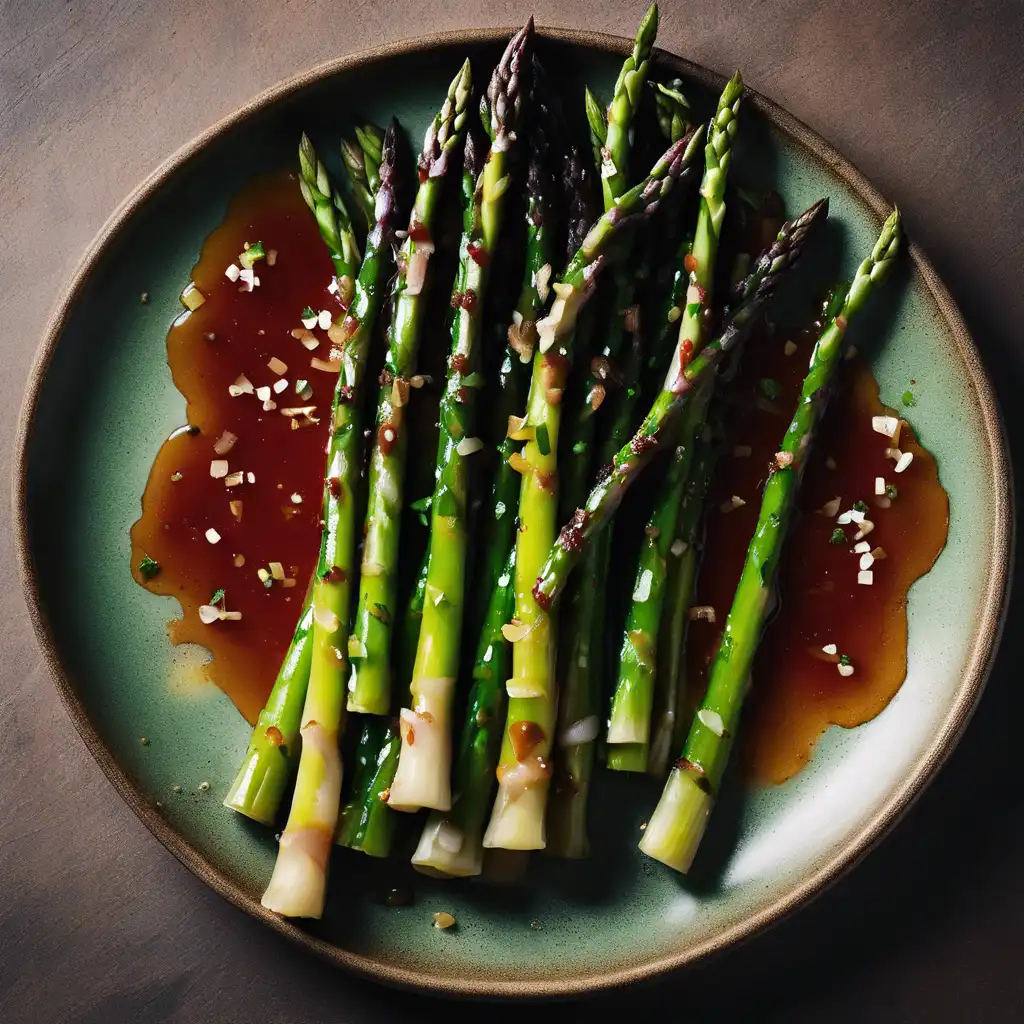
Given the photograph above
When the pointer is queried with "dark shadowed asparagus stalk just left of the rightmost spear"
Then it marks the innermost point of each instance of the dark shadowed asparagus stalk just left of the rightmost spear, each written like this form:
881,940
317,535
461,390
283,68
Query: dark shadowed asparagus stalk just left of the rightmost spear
671,656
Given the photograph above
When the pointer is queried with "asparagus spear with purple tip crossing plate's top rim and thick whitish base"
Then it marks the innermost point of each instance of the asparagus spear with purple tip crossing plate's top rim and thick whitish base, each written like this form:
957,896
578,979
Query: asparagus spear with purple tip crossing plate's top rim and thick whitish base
423,779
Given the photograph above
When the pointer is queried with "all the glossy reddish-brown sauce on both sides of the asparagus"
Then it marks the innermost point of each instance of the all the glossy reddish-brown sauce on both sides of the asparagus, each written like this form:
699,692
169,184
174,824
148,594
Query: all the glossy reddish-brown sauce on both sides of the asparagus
796,694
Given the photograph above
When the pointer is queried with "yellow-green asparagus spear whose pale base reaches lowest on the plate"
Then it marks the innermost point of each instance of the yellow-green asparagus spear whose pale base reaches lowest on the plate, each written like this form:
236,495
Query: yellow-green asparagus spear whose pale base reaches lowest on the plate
298,885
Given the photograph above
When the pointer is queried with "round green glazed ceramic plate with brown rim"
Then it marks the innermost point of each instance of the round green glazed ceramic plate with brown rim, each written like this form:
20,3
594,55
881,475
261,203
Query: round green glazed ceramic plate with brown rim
101,402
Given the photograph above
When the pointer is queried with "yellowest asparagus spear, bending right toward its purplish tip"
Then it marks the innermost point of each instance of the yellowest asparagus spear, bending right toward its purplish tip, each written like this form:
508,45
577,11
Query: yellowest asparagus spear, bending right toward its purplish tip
518,819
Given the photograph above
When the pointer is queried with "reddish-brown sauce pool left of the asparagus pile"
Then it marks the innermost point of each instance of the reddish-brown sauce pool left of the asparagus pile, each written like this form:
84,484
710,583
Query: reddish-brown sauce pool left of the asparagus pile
183,501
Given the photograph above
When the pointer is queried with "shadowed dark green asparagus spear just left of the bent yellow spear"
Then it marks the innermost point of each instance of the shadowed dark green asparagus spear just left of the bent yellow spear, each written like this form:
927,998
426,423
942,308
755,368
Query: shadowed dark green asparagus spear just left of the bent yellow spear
452,843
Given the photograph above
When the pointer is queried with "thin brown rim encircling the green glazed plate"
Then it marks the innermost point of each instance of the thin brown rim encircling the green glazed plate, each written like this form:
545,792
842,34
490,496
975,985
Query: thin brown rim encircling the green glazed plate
985,643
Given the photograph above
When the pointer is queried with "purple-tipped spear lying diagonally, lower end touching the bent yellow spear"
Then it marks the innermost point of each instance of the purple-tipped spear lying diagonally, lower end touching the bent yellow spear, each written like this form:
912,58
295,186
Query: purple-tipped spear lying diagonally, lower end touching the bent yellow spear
686,371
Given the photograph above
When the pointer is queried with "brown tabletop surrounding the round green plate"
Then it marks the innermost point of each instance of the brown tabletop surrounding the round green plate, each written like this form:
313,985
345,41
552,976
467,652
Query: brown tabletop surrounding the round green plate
98,922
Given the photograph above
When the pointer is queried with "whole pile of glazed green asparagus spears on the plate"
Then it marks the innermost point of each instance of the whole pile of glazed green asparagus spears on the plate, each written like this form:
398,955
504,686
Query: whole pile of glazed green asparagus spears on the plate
519,731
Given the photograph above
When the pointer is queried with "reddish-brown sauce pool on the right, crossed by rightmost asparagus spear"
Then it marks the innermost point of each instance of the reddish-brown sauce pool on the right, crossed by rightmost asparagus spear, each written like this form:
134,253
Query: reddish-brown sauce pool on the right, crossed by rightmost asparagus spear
796,694
